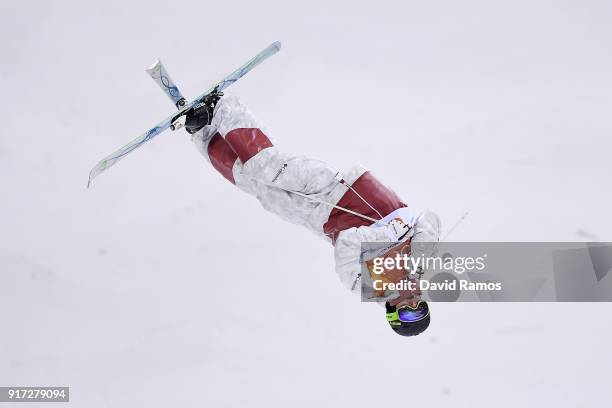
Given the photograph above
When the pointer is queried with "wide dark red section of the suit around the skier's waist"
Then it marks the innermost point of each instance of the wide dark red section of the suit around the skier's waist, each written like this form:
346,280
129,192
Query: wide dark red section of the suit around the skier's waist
379,196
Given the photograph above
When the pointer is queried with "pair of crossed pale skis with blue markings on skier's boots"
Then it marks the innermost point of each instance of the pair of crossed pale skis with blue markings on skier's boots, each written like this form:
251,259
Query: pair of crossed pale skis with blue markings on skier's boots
175,120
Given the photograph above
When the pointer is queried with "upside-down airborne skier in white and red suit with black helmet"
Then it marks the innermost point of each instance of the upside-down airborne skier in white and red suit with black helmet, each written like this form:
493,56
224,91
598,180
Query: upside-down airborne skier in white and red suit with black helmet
344,208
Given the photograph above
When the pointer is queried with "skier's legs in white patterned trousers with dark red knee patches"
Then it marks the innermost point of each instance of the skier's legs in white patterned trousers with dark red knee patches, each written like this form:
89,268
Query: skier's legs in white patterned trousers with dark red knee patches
244,154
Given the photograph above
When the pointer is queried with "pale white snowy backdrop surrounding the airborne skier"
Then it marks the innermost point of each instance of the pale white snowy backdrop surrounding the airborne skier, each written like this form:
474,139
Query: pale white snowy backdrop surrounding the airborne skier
164,285
